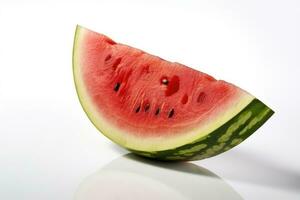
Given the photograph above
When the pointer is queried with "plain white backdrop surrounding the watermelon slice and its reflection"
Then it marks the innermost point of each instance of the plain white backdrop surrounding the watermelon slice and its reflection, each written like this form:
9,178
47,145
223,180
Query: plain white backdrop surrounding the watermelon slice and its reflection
47,144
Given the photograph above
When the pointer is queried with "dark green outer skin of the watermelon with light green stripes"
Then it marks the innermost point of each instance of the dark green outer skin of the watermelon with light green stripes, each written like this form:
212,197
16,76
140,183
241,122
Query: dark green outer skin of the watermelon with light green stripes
222,139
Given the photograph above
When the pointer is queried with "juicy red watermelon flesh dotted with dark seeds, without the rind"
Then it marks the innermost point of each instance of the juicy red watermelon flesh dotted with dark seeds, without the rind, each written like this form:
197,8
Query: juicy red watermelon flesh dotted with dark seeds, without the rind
147,95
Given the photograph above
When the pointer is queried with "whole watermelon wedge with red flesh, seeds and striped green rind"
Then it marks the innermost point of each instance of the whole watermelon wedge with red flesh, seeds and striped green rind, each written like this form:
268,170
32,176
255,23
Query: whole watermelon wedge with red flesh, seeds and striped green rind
156,108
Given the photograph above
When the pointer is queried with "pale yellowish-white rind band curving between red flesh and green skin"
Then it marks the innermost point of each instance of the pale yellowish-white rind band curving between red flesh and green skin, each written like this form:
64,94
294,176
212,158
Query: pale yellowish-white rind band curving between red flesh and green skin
141,145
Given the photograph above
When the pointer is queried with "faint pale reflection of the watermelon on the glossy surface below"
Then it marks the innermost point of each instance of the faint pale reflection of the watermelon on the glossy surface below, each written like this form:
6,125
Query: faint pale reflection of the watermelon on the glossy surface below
131,177
